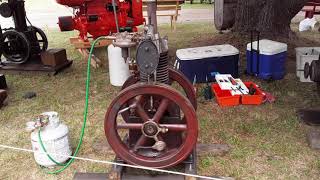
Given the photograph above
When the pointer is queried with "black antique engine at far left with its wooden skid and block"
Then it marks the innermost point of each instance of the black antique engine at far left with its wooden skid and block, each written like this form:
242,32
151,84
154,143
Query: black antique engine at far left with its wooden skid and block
24,46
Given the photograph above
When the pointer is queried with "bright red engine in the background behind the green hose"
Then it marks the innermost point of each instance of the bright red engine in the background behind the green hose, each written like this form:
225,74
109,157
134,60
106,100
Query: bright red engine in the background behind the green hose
96,17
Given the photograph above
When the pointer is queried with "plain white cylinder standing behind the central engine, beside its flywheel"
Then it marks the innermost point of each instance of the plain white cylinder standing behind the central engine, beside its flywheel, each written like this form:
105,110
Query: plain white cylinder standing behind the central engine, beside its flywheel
118,68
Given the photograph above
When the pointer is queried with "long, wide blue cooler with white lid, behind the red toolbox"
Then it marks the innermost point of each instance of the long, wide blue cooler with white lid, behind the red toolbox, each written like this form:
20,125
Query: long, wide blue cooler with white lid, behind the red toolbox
200,64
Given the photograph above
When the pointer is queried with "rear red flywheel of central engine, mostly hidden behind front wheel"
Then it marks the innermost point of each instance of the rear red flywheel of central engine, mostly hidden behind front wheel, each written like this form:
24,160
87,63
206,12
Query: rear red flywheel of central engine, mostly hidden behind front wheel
174,76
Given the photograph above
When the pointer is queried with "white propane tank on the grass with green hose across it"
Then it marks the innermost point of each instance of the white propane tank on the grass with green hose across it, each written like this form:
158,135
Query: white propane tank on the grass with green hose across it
55,139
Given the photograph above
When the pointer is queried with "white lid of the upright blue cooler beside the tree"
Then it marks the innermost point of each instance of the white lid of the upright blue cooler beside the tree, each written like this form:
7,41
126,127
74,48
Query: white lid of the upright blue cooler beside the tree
268,47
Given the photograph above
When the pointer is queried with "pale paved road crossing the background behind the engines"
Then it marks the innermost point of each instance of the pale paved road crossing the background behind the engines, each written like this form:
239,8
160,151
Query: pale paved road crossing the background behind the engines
45,13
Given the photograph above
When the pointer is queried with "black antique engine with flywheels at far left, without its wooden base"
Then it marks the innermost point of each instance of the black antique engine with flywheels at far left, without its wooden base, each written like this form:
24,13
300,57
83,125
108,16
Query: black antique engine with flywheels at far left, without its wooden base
22,42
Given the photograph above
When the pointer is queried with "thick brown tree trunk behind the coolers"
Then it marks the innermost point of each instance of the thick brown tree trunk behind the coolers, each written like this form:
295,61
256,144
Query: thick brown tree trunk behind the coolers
271,17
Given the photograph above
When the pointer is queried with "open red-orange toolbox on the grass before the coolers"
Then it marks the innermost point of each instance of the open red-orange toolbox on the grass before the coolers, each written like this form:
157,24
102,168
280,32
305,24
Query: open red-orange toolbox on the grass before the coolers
224,97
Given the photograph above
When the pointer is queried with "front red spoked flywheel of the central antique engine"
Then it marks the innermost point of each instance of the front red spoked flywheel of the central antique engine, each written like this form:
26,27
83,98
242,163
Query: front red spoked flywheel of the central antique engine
152,127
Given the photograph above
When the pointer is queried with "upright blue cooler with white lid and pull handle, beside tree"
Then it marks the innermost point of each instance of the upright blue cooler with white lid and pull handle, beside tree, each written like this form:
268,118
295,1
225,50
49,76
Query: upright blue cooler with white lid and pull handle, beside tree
267,60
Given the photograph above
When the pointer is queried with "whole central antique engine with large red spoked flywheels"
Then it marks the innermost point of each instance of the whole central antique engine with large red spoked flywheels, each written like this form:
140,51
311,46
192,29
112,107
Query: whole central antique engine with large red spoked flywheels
150,123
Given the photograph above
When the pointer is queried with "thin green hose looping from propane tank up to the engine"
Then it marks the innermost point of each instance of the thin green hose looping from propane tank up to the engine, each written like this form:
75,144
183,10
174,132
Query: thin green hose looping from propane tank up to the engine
66,165
